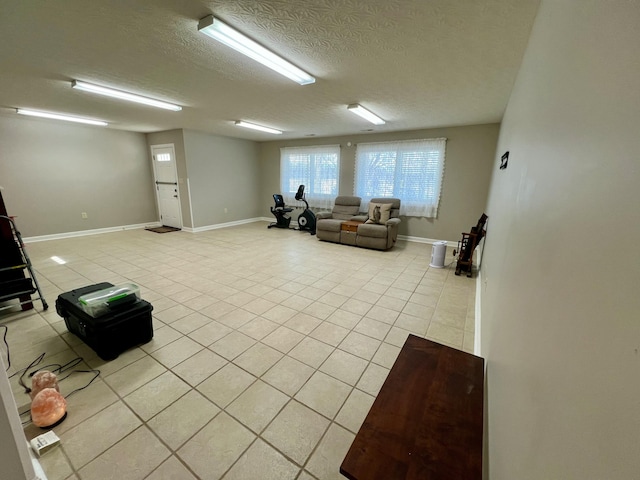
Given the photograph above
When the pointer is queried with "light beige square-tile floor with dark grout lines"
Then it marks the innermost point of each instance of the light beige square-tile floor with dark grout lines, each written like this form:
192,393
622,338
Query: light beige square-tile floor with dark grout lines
269,349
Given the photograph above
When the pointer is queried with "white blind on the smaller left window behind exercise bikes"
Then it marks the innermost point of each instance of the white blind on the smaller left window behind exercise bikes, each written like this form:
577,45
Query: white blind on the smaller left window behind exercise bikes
317,168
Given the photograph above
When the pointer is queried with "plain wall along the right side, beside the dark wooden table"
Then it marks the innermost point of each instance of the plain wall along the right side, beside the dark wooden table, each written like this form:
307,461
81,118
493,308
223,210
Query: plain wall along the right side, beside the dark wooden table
561,267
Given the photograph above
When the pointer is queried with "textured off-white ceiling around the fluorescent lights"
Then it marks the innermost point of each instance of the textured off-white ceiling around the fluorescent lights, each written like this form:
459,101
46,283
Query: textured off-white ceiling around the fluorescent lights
416,63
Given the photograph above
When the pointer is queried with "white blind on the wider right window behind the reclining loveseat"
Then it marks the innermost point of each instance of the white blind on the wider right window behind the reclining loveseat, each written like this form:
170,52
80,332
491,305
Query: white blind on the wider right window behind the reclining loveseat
409,170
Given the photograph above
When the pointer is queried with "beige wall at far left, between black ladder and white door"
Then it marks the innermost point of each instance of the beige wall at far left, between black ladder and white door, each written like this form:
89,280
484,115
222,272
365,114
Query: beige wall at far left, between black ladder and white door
53,171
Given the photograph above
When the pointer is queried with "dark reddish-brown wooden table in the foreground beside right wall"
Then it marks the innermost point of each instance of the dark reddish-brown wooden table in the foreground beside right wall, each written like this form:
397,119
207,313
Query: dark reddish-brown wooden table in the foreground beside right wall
426,422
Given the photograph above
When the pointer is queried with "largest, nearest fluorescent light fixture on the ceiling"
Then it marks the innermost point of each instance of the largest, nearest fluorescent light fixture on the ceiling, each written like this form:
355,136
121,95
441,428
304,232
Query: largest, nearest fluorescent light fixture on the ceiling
222,32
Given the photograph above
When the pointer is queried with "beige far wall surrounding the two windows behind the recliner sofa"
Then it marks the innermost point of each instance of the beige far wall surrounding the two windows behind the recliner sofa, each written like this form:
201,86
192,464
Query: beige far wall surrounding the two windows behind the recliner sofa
470,154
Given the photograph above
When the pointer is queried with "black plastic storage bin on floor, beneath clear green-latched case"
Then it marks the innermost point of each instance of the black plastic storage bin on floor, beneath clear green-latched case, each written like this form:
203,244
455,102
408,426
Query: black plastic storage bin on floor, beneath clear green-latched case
124,327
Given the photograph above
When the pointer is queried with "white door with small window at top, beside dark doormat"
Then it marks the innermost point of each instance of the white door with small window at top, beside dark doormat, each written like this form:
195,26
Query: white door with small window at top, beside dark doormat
166,178
